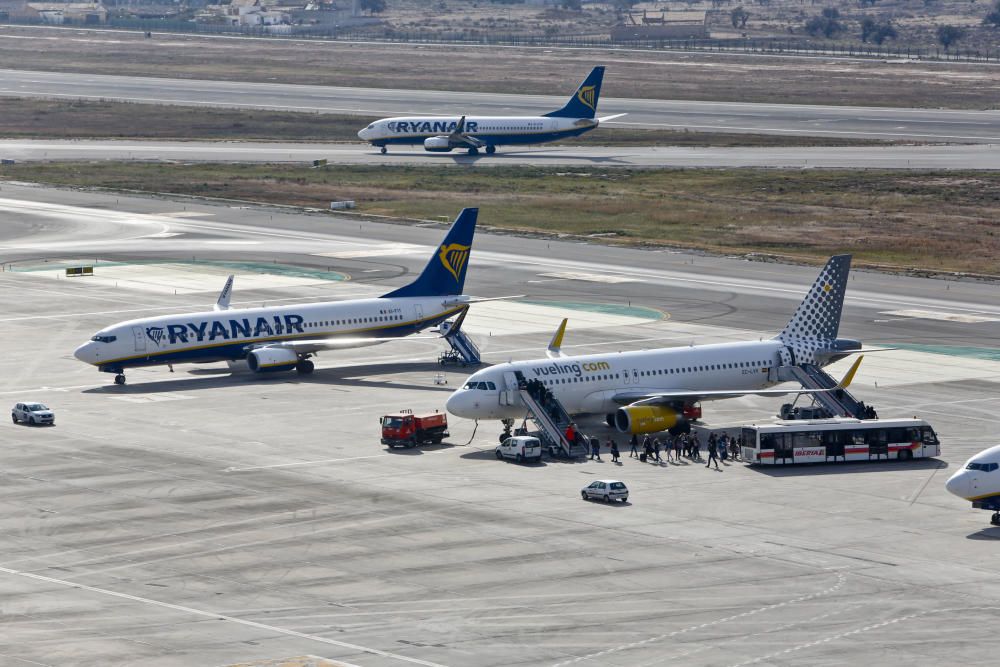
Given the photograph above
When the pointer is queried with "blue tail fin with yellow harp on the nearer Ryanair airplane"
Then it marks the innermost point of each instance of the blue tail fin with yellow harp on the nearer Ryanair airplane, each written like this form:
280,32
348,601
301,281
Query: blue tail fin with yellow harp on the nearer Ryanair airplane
444,274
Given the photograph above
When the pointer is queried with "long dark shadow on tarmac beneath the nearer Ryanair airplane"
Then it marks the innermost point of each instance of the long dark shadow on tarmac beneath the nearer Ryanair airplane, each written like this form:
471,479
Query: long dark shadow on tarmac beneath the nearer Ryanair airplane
343,377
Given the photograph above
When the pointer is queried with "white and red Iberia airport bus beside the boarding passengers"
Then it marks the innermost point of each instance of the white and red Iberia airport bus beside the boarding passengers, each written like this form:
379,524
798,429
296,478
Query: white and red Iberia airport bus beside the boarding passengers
822,440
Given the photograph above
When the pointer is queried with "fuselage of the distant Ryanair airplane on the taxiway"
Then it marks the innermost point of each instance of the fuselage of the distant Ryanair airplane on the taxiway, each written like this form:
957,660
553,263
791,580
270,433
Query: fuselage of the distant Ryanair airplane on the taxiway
491,130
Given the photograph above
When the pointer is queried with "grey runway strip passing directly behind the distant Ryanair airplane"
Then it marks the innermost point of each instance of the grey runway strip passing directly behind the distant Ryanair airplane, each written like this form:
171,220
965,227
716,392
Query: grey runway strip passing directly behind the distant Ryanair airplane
918,125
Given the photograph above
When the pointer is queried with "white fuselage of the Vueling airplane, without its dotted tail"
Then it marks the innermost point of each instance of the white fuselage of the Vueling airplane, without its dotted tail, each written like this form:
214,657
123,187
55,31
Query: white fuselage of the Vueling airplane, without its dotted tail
597,383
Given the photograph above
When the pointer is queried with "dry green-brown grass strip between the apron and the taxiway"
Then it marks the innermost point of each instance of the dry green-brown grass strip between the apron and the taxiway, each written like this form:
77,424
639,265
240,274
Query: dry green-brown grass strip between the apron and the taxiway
936,221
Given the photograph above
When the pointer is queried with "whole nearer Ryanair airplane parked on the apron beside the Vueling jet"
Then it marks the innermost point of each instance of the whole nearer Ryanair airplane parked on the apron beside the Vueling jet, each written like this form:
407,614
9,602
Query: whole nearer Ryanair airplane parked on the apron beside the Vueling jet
281,338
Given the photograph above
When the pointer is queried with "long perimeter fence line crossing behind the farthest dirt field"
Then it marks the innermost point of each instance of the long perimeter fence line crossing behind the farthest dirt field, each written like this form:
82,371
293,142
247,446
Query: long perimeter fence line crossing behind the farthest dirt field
766,46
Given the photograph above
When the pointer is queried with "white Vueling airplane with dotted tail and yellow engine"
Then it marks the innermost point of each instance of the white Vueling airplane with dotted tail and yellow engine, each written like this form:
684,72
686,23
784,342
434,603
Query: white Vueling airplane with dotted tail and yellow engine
655,390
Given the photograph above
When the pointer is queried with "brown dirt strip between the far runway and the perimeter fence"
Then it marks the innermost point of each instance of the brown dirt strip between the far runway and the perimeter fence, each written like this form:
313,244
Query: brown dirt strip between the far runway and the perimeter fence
639,74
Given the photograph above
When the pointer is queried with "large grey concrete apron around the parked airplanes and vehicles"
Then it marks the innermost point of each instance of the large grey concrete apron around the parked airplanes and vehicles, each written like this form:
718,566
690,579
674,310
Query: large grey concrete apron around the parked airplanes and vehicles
204,517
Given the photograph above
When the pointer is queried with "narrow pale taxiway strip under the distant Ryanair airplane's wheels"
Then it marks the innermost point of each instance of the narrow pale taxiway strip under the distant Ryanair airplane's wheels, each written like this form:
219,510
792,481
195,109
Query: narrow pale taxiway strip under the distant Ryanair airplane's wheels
945,157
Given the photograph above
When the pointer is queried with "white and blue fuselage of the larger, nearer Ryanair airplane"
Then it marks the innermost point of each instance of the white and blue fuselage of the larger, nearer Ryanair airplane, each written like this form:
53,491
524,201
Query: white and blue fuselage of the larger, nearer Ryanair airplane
228,335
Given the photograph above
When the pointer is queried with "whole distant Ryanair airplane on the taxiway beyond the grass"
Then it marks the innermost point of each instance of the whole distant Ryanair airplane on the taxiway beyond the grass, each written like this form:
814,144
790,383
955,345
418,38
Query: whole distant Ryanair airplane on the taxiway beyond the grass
442,134
